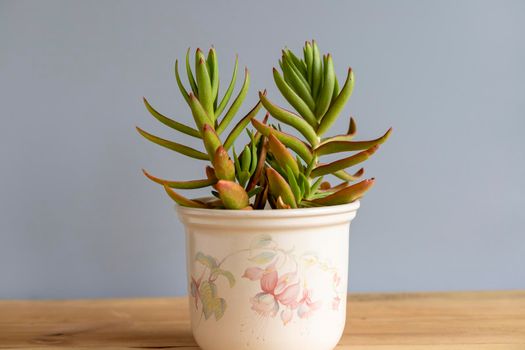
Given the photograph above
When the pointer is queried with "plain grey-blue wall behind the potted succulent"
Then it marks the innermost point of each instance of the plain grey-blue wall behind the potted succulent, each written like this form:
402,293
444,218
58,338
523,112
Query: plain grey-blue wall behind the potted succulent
78,219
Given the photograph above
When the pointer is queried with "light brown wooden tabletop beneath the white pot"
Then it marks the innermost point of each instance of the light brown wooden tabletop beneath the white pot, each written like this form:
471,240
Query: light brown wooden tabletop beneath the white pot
414,321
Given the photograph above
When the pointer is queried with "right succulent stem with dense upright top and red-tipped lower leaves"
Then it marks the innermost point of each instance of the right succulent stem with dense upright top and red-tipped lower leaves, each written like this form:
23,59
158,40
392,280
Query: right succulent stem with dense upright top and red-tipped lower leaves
310,86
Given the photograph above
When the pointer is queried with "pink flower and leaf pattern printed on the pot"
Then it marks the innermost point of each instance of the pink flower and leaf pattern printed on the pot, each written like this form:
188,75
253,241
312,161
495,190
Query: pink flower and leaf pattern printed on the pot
282,278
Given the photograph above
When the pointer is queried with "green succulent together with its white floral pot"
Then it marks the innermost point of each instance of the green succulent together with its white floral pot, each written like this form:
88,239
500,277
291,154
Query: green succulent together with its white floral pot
275,278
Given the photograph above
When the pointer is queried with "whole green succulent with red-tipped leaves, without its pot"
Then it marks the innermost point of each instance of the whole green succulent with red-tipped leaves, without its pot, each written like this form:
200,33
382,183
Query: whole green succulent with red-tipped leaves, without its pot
274,168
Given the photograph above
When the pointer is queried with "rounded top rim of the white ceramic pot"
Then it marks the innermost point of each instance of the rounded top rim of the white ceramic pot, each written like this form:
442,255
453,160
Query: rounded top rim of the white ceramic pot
270,213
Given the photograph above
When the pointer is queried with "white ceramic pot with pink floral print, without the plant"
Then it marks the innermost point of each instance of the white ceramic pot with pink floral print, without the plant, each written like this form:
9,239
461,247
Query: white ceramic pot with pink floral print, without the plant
268,279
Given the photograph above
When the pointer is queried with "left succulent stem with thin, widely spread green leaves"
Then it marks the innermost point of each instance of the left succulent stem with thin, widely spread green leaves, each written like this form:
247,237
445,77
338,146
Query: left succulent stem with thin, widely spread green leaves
227,176
